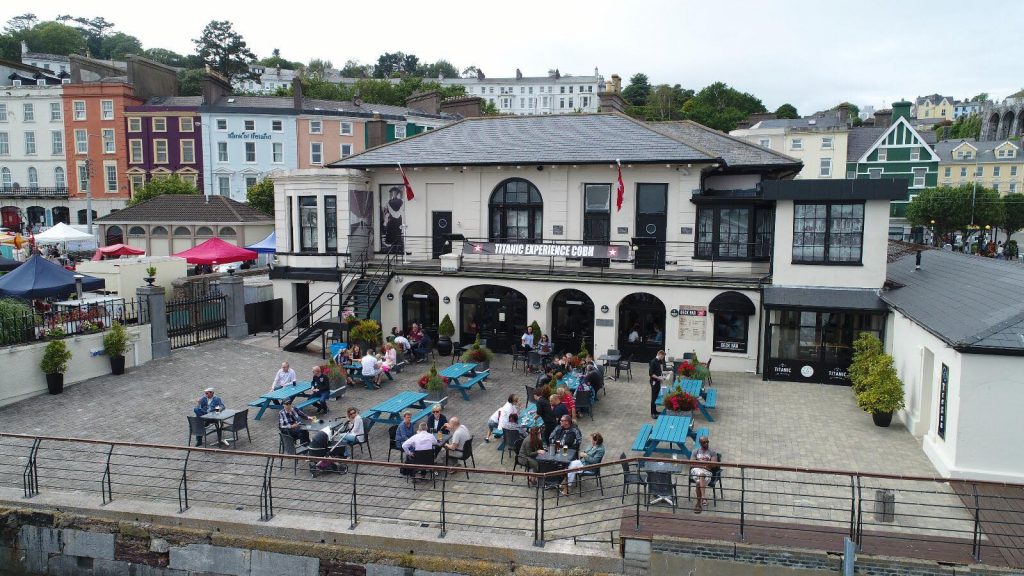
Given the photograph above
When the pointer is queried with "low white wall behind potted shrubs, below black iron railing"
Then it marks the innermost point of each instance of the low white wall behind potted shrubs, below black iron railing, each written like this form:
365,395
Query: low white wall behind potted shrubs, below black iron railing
22,378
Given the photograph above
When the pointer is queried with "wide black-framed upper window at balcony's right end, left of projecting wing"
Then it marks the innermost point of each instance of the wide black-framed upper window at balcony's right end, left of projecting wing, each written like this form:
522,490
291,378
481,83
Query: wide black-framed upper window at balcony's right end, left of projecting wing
738,233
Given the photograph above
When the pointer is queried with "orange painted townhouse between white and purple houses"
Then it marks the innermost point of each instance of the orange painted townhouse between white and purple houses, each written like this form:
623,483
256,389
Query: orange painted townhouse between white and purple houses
98,155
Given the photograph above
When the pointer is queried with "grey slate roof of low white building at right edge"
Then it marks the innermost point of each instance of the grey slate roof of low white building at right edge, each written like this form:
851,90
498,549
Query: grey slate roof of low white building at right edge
971,303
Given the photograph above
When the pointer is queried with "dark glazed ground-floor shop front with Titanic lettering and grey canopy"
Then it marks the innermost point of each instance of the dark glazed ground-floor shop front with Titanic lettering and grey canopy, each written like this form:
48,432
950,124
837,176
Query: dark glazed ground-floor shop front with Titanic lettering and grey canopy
809,333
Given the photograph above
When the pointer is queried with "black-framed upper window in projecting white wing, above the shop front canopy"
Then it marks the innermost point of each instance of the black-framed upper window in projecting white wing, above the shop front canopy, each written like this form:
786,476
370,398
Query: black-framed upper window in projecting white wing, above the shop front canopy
828,233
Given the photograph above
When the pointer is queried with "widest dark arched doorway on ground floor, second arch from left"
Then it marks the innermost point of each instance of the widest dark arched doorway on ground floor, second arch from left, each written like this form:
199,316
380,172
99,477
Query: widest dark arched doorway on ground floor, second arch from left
496,313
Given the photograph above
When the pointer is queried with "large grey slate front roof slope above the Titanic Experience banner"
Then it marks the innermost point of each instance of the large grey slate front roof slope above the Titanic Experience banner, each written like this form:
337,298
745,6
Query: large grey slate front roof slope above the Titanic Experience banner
573,139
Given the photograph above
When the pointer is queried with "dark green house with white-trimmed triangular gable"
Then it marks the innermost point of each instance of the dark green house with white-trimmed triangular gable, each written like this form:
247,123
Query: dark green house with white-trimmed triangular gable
897,151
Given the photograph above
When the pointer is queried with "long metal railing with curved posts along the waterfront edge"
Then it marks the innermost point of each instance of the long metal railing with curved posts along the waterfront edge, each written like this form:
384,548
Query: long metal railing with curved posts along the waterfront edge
974,521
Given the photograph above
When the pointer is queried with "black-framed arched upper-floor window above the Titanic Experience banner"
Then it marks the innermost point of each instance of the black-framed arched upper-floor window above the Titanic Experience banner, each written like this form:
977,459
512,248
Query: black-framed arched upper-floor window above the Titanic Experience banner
517,213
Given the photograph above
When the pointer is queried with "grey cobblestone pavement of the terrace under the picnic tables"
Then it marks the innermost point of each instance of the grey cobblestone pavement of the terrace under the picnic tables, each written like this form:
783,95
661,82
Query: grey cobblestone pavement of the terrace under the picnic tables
757,423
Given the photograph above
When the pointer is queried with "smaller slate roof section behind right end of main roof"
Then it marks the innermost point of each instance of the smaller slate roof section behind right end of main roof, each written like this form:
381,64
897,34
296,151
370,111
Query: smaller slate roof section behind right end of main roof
736,152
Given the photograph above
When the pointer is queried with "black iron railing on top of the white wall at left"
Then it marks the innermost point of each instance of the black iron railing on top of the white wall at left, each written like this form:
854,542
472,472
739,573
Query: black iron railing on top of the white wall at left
26,325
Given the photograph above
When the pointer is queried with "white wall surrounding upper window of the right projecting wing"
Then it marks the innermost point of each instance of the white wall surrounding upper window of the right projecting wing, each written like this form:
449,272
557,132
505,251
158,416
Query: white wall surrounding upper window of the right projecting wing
872,273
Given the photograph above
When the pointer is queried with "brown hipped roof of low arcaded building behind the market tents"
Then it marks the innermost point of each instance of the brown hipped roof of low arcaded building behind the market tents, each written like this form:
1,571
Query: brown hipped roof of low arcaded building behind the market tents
189,209
